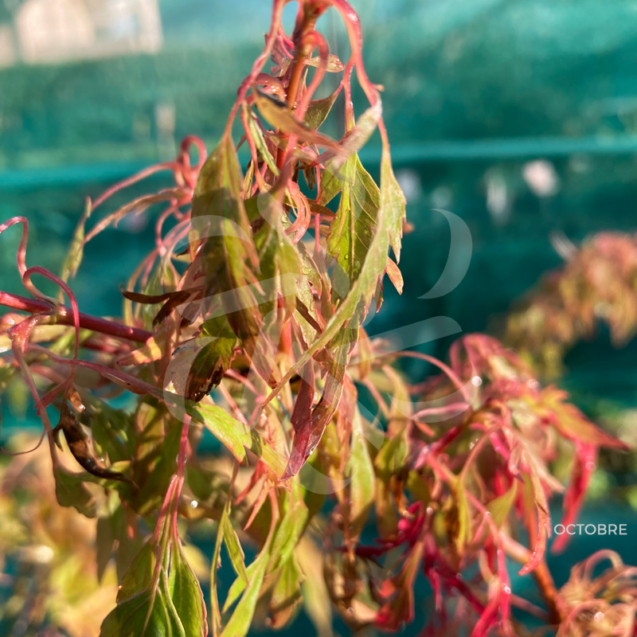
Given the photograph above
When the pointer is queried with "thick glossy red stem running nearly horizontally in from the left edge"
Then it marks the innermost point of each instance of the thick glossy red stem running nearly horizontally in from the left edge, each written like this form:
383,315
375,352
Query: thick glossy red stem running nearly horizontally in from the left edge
64,316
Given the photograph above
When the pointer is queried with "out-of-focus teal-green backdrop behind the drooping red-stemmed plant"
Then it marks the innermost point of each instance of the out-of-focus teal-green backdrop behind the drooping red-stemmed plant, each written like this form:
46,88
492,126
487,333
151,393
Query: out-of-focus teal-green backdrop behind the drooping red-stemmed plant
520,116
